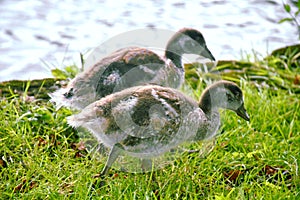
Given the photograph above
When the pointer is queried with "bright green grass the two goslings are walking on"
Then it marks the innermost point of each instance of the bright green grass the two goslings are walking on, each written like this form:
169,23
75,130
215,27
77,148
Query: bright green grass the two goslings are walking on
41,157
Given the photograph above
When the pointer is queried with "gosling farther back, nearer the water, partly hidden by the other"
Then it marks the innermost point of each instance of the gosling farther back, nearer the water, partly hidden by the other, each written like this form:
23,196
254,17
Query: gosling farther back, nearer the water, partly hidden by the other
132,66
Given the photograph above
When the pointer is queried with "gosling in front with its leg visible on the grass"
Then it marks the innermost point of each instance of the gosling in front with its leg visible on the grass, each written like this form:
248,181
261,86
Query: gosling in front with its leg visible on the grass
147,121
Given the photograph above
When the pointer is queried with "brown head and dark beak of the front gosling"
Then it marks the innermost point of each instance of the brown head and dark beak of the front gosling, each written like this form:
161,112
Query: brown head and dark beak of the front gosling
224,94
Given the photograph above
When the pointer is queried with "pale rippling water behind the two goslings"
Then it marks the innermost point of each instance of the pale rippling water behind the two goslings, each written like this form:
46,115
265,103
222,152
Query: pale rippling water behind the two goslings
37,35
